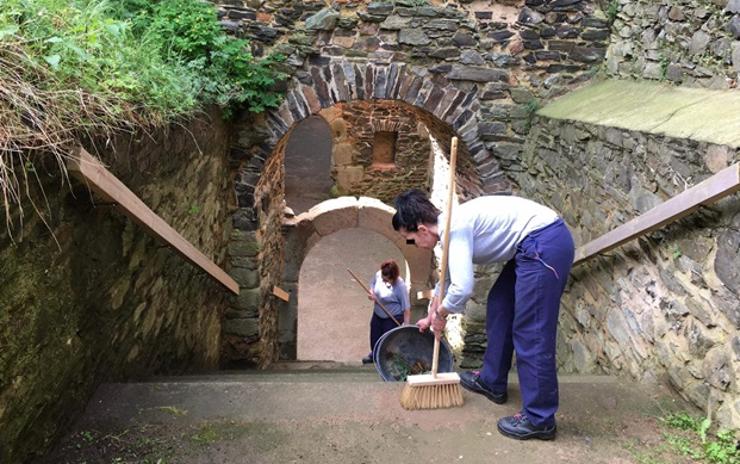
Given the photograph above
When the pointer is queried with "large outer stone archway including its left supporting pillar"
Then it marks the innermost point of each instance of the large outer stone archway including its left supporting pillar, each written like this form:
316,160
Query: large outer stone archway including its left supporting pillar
441,104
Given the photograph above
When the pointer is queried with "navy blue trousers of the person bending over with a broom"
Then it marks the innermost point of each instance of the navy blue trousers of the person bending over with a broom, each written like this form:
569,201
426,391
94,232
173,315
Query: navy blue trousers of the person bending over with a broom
522,315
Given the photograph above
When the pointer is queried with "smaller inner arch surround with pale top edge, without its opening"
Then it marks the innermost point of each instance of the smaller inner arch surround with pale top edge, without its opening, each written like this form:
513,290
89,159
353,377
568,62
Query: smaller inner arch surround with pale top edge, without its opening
306,230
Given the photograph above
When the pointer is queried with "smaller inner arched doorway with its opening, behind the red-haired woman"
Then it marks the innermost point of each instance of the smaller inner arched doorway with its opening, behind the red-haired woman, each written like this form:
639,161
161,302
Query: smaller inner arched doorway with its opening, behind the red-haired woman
324,223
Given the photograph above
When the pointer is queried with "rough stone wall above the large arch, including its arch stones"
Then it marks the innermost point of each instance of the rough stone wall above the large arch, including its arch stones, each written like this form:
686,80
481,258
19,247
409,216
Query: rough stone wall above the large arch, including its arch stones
501,59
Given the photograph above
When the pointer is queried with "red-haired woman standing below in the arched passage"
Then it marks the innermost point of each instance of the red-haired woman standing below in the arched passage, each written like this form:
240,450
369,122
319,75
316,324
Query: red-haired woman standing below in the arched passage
388,288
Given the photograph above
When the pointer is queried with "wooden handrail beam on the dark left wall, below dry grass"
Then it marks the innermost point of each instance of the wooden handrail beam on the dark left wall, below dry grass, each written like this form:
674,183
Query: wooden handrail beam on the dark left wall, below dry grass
89,170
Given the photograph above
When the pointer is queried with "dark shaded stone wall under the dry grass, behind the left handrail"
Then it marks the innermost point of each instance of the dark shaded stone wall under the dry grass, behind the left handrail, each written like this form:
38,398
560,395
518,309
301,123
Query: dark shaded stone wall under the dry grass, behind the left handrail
93,297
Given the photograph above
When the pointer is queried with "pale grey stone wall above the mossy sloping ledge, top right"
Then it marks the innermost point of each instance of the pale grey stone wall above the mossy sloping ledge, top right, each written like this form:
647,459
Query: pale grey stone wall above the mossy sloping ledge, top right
685,42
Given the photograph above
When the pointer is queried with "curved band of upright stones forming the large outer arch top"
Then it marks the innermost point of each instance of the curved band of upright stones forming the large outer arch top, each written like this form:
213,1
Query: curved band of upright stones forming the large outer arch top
325,82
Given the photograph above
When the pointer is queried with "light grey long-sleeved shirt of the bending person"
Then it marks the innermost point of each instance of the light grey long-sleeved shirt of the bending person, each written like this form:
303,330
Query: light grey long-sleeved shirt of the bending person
486,230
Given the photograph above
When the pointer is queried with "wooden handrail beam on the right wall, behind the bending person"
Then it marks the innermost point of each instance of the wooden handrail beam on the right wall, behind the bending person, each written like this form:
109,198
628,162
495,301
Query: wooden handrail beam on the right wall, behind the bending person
725,182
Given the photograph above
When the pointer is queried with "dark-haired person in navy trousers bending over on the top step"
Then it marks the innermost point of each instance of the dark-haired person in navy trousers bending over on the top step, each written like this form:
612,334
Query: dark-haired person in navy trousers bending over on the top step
523,304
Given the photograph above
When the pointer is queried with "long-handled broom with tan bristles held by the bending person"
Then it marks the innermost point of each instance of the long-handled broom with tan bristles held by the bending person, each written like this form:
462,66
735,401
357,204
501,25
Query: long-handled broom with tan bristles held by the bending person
437,390
